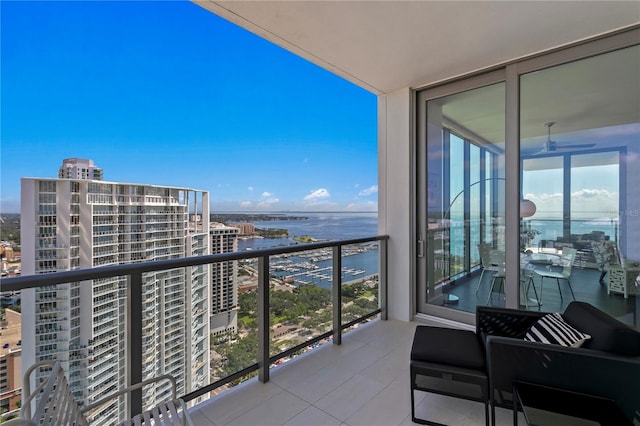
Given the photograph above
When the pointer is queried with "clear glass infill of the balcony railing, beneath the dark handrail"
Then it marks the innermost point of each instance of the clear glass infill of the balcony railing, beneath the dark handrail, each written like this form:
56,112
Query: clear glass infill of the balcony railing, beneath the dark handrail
198,323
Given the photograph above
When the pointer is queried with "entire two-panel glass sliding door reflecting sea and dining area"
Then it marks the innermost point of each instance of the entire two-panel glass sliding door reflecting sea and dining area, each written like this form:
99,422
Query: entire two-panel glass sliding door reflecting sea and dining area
565,129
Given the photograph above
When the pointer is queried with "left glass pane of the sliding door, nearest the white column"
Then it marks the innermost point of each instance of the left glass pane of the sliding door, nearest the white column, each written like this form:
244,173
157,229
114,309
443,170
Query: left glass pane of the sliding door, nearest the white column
461,150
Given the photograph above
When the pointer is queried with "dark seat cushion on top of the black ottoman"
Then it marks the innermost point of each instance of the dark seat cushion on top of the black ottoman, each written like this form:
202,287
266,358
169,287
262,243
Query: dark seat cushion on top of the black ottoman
460,348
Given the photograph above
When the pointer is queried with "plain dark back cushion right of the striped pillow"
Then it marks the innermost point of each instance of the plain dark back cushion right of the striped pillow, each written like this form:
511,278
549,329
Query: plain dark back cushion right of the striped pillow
607,333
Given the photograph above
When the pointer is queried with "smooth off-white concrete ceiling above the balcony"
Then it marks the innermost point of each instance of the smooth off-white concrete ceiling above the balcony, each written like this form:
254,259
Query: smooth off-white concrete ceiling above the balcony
383,46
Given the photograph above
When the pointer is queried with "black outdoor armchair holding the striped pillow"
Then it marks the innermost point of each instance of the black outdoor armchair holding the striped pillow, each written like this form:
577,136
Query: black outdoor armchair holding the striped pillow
602,358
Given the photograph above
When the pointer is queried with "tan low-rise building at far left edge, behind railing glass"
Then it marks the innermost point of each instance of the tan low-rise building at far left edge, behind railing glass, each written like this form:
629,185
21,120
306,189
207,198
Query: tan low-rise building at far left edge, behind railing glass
10,362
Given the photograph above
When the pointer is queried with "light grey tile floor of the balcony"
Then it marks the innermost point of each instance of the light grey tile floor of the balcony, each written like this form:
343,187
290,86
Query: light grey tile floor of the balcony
364,381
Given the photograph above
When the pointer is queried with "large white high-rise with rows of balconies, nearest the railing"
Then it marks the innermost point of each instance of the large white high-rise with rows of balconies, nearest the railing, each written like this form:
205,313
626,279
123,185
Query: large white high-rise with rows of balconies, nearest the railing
76,223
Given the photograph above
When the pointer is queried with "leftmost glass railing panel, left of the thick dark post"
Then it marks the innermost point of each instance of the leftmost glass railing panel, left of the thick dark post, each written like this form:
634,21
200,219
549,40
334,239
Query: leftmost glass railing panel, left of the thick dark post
51,323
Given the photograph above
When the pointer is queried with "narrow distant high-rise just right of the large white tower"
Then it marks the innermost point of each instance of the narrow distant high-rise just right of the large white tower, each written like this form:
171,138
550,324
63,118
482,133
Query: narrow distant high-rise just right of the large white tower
224,283
